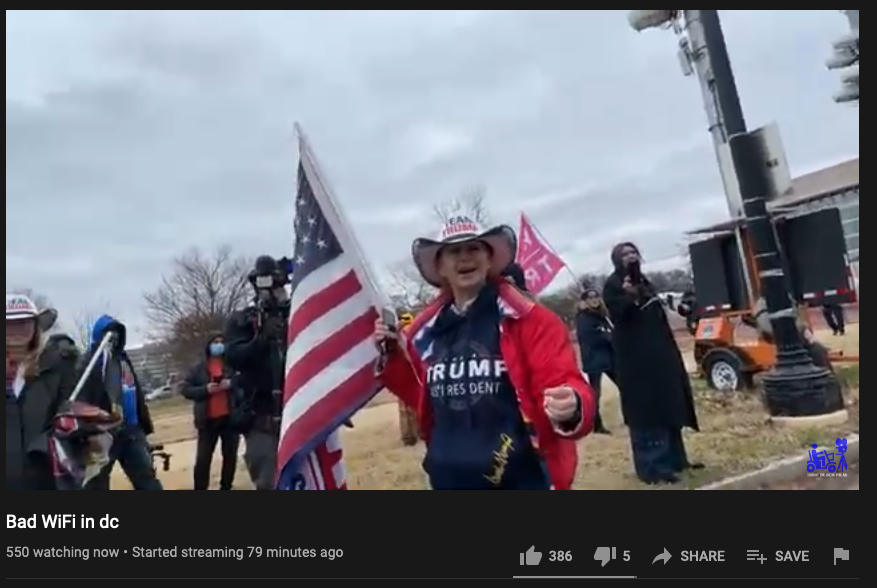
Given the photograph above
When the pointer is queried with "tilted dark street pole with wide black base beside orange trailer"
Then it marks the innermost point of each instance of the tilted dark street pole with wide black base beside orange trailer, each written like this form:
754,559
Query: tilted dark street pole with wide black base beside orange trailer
795,388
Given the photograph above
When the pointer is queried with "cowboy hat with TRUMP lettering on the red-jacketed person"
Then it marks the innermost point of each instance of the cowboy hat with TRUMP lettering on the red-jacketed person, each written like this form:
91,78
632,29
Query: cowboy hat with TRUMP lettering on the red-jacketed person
501,240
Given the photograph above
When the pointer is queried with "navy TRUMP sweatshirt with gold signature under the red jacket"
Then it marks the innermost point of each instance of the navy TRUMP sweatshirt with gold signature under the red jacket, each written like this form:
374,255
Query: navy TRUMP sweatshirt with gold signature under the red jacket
479,440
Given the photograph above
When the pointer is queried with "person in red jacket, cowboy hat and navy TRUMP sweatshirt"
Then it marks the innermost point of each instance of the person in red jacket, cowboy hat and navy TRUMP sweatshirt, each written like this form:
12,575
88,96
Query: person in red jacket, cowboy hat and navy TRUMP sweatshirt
491,373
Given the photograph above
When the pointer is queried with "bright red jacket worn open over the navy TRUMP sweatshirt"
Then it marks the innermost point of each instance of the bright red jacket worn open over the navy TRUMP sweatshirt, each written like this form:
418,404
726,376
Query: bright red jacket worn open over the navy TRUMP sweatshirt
538,354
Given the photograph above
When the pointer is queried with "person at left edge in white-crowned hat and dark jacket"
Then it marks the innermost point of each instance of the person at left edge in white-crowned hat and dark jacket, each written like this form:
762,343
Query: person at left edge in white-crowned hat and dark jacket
39,378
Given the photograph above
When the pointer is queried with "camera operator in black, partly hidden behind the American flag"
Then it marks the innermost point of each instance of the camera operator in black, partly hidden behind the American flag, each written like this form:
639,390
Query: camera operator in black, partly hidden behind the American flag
256,341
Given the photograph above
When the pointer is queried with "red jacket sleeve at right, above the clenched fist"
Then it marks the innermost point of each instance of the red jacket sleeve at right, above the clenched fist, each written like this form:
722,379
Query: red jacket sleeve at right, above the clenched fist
552,363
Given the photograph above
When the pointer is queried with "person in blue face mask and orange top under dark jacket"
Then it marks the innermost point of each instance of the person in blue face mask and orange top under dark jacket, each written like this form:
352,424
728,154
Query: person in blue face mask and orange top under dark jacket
210,386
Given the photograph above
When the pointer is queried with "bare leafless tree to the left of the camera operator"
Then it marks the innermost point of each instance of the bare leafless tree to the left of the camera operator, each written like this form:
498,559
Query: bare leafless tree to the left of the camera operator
195,299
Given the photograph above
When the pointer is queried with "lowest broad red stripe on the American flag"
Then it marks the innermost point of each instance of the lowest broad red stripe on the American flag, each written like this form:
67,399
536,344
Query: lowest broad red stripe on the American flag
304,436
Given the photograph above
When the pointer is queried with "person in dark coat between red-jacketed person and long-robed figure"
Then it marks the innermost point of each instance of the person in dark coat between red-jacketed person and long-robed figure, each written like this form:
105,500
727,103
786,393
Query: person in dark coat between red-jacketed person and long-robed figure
594,334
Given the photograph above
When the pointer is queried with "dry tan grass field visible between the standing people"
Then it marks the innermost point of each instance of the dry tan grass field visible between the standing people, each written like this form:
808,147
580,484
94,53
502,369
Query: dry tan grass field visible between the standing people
736,437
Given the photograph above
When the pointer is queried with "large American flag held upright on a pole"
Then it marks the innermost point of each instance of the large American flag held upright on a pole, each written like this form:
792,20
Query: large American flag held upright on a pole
330,363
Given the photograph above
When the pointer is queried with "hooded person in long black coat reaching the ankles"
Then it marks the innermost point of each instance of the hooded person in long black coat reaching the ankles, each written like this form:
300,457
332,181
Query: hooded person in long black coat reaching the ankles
656,396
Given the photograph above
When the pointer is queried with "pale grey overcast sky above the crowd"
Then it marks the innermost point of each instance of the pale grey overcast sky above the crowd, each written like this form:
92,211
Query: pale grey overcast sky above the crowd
132,136
